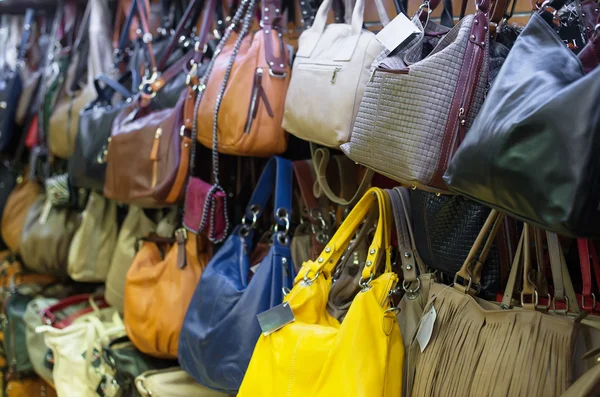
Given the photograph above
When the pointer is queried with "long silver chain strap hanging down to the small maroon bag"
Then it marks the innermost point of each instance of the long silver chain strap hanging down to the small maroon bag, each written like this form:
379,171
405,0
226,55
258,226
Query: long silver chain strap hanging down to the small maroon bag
246,10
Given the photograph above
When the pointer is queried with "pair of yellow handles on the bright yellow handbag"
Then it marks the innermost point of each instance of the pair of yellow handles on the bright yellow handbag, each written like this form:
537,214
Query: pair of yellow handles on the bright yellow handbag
336,247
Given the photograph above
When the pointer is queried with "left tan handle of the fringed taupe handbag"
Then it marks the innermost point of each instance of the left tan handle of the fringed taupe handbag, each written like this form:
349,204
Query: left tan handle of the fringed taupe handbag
472,267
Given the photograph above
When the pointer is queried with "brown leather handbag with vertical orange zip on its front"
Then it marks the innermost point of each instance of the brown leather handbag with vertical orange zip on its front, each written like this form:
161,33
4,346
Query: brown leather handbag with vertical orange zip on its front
147,157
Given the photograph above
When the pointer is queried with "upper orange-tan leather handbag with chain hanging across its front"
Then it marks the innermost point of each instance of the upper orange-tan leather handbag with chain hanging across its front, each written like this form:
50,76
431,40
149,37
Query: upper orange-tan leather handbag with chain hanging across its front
246,88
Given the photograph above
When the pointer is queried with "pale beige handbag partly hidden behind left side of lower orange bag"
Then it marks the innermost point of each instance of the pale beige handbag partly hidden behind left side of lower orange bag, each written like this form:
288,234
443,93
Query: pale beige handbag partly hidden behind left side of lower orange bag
137,224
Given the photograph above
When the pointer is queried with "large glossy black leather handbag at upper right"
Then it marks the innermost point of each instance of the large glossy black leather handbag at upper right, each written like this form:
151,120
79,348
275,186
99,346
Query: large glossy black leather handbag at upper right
554,104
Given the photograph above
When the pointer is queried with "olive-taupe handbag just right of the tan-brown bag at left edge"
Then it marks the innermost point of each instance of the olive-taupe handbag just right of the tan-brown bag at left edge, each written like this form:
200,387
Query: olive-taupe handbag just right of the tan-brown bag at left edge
47,236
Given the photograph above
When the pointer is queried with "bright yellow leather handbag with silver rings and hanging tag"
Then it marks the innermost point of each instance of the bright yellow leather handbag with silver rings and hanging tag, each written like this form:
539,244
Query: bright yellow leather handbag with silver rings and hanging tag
315,355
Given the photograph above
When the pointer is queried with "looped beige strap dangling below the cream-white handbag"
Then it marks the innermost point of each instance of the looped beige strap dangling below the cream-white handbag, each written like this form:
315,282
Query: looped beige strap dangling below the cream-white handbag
321,157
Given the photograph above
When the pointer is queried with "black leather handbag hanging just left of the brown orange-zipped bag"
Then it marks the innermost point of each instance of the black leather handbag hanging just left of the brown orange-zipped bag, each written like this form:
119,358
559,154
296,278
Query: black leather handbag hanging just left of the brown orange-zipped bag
87,165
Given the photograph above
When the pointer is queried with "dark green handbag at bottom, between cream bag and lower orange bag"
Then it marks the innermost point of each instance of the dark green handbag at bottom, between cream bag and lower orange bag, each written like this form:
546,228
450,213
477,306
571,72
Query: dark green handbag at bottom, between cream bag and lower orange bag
126,363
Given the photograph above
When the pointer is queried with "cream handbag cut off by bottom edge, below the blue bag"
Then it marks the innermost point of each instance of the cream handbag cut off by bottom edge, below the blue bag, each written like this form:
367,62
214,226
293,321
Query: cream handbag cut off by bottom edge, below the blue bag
171,382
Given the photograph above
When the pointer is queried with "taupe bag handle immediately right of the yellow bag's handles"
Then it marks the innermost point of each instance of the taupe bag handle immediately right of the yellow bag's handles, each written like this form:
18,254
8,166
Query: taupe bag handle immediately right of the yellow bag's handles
406,242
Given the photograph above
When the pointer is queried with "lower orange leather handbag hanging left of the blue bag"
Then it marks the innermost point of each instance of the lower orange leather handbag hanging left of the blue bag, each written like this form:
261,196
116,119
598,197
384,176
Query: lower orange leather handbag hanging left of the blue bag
158,290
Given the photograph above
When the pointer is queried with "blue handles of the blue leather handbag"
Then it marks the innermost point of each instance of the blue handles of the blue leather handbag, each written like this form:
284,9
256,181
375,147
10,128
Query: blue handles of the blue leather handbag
276,179
